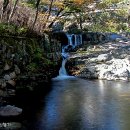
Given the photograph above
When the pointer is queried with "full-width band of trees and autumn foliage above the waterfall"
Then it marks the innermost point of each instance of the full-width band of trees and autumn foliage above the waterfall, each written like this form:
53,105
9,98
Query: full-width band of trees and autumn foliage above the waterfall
87,15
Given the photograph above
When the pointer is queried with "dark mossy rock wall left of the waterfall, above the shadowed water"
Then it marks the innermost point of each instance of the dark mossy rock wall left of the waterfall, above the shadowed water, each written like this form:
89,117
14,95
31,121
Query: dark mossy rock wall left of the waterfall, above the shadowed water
27,59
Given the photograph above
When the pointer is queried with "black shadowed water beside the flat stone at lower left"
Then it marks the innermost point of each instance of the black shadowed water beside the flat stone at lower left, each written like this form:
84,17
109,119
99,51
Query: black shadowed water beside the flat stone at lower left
31,101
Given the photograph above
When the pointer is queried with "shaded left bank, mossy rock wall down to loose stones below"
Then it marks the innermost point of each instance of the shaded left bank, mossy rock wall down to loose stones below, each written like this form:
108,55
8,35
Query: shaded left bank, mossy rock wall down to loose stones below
27,66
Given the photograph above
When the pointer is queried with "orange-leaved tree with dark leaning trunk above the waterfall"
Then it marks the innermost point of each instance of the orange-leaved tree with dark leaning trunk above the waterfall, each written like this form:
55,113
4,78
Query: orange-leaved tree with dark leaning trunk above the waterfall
65,7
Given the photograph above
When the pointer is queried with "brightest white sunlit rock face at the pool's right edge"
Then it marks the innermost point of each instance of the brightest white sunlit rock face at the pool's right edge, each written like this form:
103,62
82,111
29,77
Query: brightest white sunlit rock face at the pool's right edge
118,69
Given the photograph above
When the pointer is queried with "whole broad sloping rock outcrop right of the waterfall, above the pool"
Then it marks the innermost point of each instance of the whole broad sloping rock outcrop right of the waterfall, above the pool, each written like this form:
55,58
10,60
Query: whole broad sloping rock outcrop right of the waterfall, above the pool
108,61
